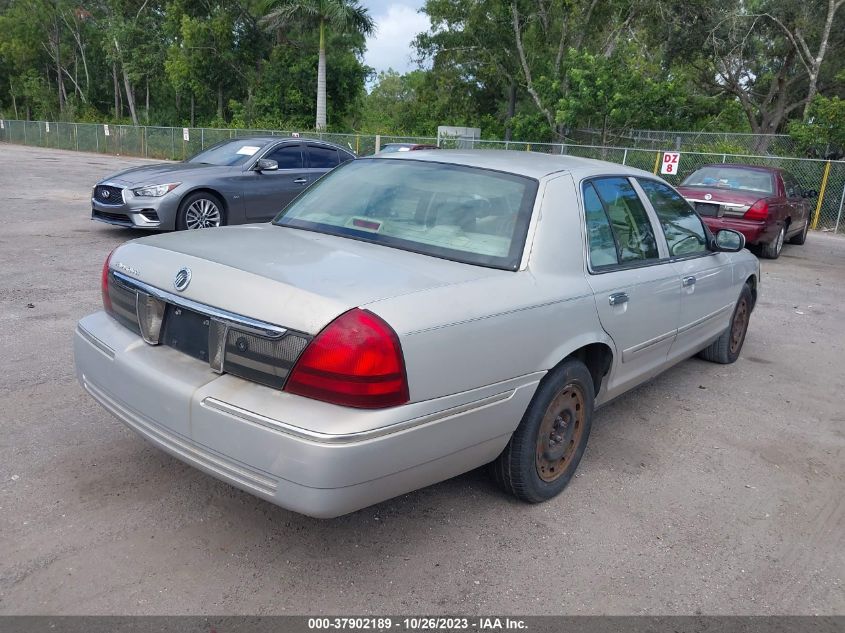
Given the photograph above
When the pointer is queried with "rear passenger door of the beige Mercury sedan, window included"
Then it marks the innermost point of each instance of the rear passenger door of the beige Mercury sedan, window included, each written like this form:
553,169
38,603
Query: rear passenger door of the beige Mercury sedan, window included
636,287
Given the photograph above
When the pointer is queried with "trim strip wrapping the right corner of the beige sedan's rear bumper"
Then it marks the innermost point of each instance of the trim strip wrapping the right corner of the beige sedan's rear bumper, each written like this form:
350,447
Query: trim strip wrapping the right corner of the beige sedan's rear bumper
348,438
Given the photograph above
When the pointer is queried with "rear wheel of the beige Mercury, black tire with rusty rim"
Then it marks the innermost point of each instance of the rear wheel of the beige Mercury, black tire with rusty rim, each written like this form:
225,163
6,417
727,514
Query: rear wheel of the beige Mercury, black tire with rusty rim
557,422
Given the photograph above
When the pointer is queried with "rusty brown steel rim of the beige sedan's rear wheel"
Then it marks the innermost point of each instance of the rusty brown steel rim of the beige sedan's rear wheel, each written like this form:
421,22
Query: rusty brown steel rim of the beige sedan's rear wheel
560,433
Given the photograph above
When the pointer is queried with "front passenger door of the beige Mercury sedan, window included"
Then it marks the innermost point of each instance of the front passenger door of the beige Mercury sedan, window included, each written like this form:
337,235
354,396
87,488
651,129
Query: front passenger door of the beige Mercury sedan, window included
707,299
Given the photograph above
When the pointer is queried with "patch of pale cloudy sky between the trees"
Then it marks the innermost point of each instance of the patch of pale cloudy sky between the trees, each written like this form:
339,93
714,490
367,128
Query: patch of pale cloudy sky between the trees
397,22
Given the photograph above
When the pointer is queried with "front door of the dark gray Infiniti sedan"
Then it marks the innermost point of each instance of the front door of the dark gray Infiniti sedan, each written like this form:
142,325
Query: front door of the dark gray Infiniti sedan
268,192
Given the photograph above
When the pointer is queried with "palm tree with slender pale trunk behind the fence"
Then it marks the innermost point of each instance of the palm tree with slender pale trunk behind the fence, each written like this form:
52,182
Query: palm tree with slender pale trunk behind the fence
341,16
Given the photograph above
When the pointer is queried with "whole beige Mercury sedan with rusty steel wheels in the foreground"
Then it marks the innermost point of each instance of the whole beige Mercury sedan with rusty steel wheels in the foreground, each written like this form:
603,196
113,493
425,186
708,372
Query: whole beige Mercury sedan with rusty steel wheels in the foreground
410,317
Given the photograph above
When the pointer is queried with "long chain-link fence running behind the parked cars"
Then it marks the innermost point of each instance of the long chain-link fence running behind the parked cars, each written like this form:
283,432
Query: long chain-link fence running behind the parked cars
826,177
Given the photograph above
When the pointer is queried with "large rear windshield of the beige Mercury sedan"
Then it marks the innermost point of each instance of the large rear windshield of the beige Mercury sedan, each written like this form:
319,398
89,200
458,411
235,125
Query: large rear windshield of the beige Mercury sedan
465,214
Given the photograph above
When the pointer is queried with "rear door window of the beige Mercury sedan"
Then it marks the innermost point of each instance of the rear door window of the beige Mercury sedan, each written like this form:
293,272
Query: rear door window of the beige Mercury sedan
635,241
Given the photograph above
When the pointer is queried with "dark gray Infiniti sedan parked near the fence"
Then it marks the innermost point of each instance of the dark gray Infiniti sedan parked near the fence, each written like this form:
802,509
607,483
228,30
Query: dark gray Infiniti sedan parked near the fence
236,181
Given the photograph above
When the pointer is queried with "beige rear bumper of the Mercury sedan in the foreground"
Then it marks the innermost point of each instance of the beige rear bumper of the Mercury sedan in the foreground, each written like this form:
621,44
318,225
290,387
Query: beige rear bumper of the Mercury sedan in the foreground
310,457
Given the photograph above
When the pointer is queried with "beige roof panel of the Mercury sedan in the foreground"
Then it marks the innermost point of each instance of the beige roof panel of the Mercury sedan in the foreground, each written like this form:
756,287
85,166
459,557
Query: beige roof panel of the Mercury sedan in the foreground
530,164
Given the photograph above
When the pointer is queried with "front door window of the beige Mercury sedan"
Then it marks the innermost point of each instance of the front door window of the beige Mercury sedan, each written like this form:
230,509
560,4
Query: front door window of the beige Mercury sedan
684,231
